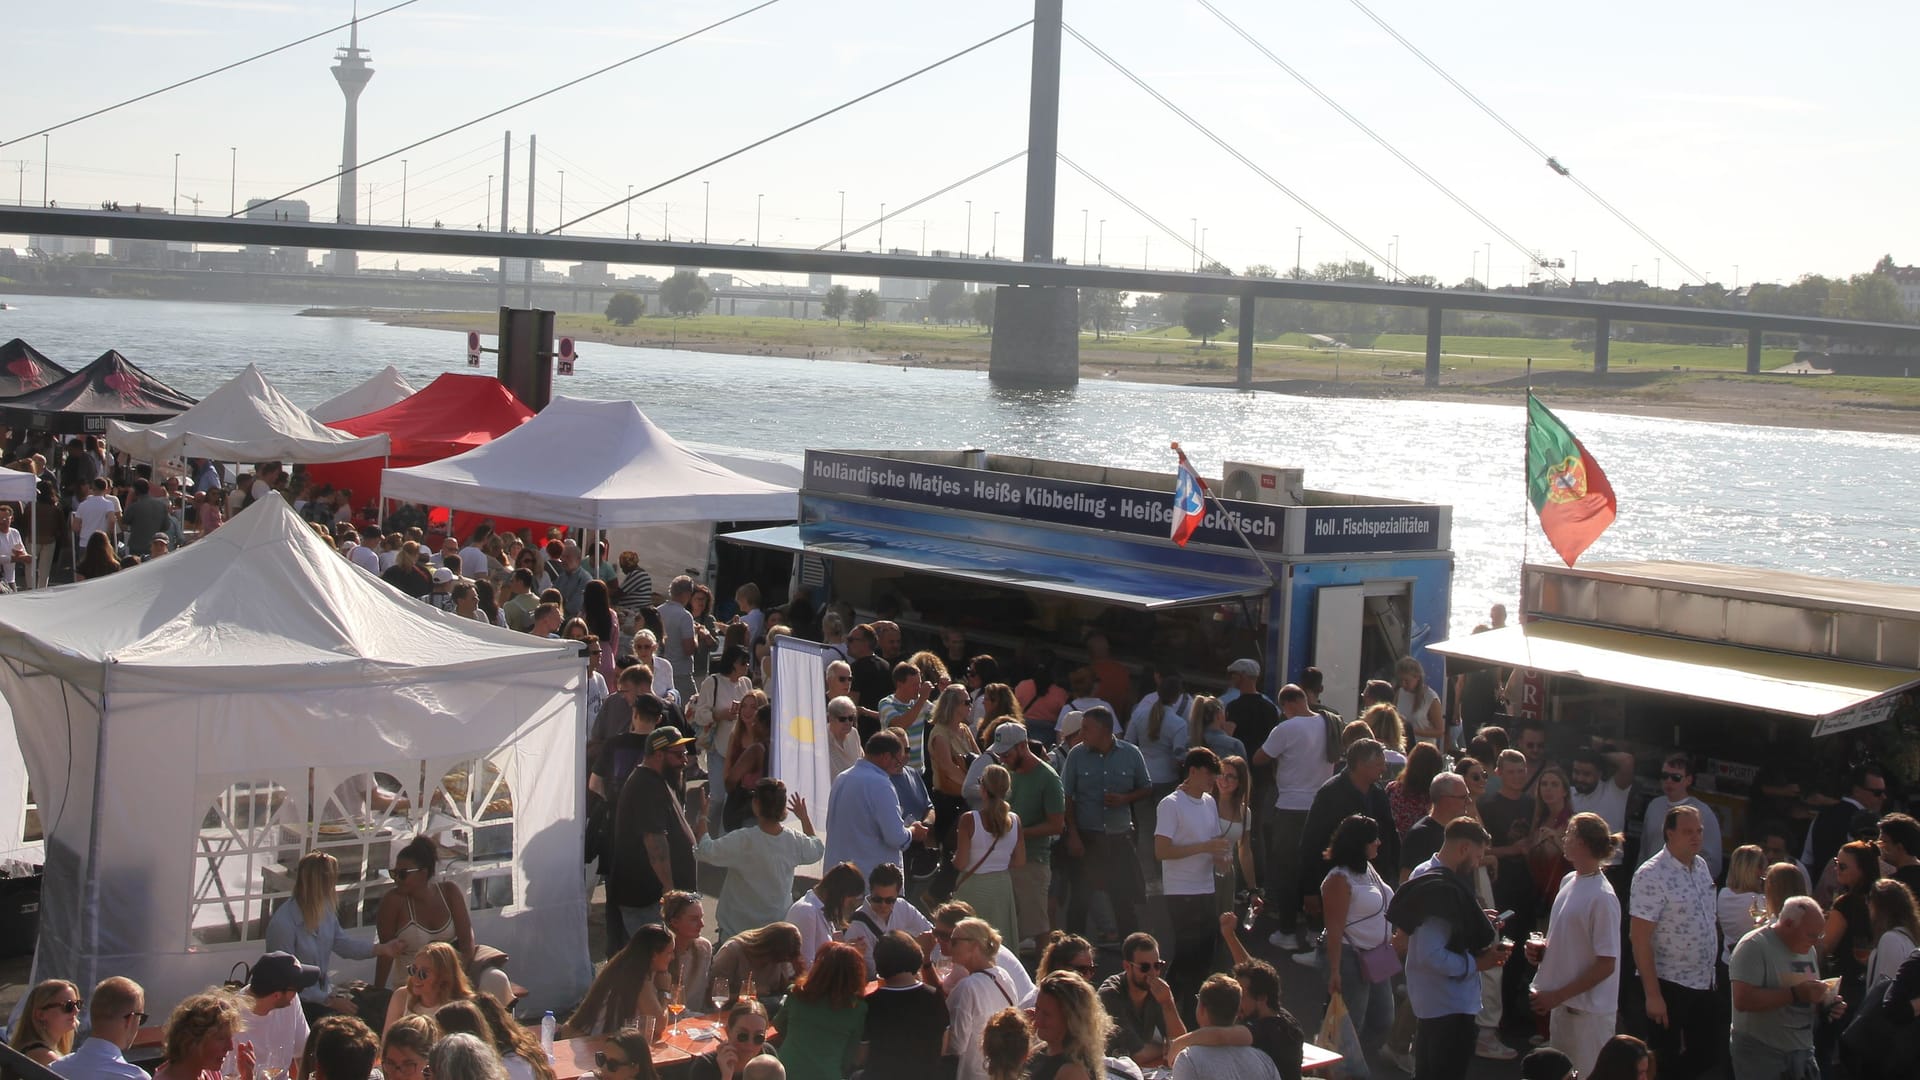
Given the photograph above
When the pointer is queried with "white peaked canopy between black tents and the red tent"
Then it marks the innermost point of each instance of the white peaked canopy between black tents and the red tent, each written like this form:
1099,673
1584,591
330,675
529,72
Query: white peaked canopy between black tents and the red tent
247,420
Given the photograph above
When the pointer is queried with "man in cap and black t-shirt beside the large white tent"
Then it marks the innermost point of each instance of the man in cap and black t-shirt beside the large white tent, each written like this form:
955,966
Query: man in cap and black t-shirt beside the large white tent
652,837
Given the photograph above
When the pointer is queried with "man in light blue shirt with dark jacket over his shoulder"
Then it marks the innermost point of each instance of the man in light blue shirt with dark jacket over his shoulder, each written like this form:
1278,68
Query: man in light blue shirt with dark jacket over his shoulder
1452,945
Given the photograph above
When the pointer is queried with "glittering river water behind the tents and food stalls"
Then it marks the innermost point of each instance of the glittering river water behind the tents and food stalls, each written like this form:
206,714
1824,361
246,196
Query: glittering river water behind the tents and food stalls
1790,499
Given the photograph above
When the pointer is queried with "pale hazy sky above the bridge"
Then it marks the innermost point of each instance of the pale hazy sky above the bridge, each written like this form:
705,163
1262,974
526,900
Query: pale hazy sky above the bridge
1767,137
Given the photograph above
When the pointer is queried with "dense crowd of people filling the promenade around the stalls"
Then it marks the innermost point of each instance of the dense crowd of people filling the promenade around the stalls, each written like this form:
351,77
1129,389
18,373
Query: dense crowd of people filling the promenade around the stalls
999,823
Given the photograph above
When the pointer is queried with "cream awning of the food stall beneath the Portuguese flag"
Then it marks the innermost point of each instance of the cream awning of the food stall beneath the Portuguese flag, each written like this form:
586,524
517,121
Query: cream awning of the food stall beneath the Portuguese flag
1833,693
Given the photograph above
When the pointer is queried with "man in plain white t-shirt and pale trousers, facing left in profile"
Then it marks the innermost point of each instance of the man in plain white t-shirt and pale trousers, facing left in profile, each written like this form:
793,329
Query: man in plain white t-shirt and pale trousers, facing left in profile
1579,979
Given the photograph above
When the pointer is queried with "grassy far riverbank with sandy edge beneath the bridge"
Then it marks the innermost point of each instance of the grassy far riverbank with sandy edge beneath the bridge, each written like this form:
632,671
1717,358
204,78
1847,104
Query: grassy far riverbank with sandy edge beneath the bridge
1694,383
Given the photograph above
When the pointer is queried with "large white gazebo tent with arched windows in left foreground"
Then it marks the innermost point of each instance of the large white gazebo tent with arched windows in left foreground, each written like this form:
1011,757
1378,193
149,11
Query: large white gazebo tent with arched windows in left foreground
195,725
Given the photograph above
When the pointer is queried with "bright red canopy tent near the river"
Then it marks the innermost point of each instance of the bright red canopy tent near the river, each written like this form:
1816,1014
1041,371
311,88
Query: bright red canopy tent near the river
452,416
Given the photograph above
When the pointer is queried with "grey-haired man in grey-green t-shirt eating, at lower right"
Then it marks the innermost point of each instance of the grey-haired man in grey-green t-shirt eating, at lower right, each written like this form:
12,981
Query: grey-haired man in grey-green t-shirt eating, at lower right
1777,993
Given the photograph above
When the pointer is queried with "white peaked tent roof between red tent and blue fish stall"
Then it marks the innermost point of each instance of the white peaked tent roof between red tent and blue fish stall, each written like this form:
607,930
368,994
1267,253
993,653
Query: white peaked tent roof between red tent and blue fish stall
598,466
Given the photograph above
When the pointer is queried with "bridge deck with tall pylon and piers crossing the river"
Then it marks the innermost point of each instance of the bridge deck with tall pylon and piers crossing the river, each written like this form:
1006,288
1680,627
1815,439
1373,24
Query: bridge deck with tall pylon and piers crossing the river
1038,314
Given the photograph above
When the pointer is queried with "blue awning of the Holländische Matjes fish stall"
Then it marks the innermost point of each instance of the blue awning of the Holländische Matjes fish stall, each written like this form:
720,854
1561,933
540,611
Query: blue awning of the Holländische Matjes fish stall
1001,566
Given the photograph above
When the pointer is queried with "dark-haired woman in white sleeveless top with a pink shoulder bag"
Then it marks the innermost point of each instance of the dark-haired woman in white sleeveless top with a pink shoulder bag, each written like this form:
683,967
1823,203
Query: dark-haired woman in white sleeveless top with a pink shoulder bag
1355,900
